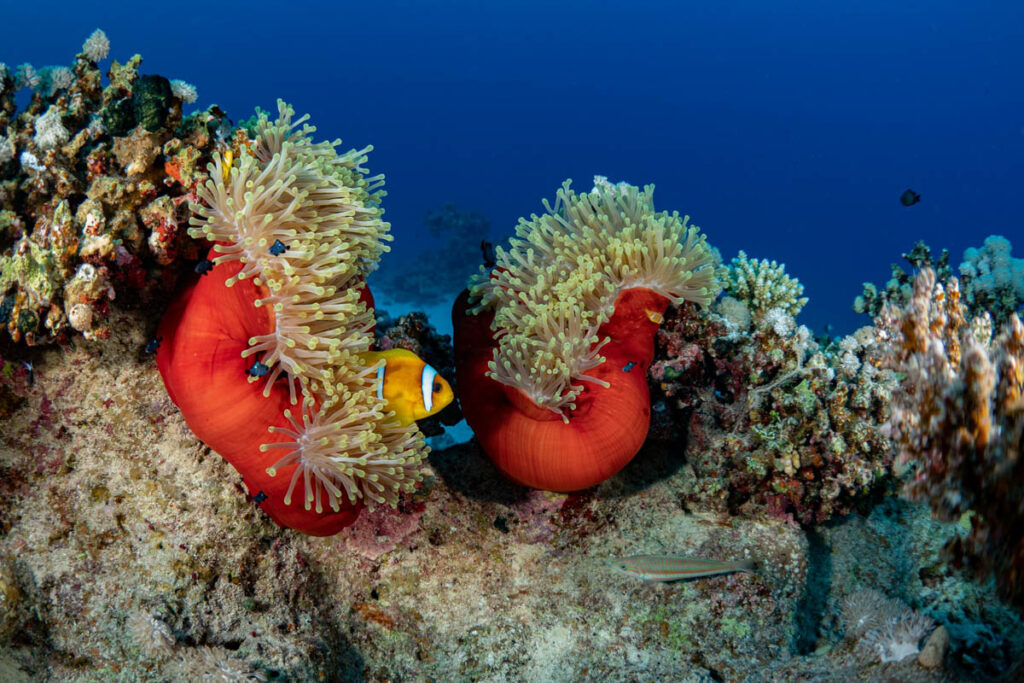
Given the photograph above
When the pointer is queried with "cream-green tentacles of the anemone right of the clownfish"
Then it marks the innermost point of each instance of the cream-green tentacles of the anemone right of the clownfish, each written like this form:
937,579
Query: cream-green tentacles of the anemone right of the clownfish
558,284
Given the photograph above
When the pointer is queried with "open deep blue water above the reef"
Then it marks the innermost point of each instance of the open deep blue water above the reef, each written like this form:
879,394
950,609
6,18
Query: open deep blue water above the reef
788,130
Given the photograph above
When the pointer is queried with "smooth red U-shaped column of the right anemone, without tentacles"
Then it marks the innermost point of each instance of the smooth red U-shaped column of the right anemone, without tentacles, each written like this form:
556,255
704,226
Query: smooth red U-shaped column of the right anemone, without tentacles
534,447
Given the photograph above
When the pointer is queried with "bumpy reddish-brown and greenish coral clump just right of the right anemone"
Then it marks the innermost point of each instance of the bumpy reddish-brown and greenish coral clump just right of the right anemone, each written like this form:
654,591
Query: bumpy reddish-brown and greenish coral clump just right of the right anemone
776,421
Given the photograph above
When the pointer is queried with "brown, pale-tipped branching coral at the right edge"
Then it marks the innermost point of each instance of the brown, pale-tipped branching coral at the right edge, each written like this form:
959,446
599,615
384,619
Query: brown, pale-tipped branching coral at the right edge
959,422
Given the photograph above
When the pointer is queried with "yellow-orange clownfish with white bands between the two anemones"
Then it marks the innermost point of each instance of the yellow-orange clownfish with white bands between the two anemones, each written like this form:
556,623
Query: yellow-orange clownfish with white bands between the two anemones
412,389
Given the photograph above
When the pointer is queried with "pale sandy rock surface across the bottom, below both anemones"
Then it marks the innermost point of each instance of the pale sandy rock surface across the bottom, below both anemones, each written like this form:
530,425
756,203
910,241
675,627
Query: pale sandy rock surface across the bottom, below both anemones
130,552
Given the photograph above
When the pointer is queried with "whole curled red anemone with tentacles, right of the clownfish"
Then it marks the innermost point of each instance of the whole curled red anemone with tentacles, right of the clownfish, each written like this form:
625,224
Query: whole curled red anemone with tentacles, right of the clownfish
553,345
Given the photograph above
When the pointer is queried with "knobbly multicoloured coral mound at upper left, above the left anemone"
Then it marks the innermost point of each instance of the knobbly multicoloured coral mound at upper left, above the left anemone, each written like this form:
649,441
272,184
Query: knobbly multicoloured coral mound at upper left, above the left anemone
90,208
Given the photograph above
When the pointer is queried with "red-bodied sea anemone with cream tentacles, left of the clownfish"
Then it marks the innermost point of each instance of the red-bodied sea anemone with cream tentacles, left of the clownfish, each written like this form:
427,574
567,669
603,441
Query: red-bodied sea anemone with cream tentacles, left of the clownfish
296,228
